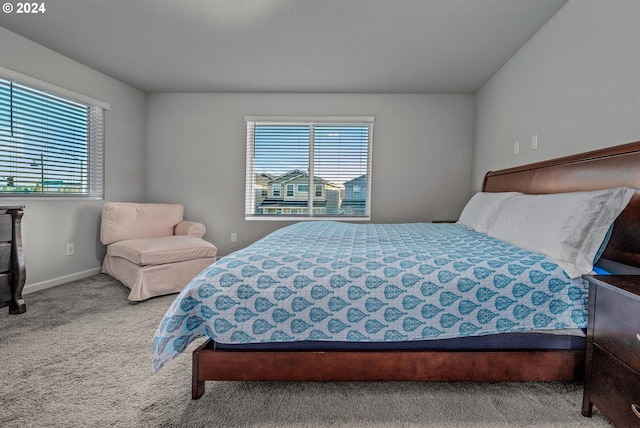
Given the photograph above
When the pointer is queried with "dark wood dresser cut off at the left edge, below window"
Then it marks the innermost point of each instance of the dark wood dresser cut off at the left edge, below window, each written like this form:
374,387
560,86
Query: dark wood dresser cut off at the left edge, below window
12,268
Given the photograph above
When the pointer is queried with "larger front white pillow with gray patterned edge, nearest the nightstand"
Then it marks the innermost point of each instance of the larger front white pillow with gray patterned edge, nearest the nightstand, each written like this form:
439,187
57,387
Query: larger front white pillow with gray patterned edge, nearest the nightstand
566,227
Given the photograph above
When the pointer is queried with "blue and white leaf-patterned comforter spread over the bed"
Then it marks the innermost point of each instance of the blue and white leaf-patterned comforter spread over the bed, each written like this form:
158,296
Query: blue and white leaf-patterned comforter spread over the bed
370,282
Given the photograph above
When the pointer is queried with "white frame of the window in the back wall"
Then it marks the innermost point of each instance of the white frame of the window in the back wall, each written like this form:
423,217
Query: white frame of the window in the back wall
310,212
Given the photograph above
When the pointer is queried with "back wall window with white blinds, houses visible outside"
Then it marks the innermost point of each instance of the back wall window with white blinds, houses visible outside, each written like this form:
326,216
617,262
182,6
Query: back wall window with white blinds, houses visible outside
303,168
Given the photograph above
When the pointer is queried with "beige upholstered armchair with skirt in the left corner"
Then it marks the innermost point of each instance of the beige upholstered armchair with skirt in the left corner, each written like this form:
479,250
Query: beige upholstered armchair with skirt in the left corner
151,249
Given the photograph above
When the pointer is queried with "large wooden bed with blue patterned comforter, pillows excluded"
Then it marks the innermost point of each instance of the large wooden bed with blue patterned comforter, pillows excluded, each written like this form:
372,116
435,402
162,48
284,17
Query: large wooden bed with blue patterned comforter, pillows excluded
363,315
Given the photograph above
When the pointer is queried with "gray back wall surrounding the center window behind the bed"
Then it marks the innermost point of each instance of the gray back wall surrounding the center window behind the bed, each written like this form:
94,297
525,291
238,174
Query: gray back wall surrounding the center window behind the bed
196,154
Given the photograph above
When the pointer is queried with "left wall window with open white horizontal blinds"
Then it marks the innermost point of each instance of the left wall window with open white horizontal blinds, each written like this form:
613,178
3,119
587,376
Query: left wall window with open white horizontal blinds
50,145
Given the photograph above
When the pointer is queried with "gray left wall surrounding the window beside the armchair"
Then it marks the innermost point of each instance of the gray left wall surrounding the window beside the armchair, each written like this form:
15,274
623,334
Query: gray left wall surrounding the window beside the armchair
49,224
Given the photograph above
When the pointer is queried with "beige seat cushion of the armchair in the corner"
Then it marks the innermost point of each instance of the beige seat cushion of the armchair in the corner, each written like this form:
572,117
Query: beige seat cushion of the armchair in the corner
165,249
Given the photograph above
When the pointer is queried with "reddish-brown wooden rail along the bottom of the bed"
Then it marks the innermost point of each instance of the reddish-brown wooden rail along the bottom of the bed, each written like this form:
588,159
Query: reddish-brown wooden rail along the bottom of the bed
367,366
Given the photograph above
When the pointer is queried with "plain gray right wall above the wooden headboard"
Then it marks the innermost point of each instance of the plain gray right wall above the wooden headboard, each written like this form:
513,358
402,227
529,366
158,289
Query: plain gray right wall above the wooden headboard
575,85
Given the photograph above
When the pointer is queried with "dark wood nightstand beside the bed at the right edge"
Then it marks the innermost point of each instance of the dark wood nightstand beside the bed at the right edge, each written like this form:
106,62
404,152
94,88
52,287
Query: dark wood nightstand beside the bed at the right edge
612,378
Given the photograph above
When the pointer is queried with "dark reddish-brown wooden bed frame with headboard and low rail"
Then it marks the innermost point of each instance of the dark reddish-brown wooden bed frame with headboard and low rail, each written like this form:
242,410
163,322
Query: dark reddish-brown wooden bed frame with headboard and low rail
600,169
